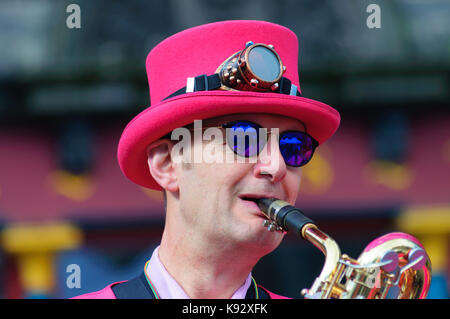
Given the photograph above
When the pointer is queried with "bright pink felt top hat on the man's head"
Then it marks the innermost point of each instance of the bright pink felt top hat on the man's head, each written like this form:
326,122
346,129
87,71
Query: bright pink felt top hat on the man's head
201,50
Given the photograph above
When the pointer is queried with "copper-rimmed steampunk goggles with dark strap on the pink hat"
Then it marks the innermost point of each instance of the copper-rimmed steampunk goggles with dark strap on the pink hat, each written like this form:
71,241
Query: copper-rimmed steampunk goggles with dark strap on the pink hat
257,68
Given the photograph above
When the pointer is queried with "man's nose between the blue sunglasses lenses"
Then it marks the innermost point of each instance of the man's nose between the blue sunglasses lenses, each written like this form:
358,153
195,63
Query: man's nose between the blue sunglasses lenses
270,161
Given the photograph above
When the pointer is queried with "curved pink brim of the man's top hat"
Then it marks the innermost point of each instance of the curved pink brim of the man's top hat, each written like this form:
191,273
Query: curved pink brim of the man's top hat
321,122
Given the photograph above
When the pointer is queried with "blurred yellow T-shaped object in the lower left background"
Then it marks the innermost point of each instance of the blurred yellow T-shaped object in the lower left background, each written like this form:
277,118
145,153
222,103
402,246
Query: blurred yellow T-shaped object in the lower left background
34,246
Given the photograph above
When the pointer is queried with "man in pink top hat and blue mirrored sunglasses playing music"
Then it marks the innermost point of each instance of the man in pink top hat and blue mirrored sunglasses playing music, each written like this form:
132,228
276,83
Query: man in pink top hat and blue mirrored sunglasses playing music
235,76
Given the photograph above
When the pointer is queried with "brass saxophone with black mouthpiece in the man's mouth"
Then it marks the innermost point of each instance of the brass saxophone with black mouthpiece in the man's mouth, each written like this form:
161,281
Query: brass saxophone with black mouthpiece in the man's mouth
393,266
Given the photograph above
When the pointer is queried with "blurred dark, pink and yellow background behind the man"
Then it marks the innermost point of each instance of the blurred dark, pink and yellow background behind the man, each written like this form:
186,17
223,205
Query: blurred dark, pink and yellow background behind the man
71,223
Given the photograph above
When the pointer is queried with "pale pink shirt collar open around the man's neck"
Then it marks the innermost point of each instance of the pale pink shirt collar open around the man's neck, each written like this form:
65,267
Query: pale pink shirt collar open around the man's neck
168,288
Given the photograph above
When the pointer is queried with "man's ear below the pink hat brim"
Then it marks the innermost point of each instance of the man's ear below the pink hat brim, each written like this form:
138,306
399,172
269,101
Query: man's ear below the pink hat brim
161,166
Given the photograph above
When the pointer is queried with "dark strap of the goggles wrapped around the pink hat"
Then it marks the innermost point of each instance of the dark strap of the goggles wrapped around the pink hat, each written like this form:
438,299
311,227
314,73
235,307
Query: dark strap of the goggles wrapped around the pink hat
212,82
